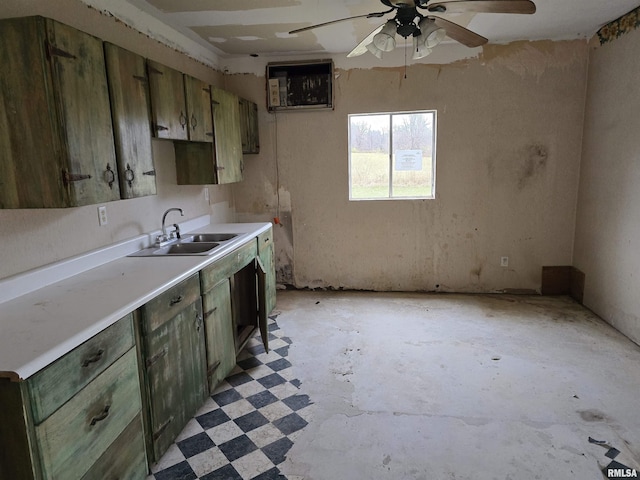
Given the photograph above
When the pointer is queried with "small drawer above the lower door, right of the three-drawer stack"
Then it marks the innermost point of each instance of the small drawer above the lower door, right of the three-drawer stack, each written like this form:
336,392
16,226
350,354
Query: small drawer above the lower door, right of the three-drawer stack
168,304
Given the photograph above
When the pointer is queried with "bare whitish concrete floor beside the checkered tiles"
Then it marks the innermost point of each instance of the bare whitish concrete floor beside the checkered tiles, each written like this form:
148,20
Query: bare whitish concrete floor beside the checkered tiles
447,386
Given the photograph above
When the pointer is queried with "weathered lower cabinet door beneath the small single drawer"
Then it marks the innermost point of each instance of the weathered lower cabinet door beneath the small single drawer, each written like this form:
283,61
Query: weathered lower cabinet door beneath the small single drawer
175,374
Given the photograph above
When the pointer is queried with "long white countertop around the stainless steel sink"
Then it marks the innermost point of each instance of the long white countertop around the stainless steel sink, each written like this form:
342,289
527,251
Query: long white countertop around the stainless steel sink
42,325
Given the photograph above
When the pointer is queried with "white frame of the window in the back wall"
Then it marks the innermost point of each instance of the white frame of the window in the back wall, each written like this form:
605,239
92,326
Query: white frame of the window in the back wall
390,159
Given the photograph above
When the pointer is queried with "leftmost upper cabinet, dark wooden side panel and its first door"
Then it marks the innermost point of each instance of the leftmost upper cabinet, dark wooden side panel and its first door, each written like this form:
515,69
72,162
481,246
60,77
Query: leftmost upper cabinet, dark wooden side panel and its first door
56,134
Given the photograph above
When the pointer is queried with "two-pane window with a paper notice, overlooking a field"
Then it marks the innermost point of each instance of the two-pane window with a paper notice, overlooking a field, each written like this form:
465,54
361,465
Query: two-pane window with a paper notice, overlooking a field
392,155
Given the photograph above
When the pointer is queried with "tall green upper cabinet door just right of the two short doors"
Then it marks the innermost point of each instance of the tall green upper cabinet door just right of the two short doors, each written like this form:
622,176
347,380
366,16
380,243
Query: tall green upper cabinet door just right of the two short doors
226,127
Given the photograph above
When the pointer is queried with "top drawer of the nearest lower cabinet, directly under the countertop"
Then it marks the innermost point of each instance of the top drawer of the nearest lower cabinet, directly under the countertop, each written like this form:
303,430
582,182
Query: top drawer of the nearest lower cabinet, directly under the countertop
52,386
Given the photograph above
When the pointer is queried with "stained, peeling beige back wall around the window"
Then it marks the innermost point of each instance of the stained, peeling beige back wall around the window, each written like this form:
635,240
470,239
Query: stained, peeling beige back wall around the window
508,153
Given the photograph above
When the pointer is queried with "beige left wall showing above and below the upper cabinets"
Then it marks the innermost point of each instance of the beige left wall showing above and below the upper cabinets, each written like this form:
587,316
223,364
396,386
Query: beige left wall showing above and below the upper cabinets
32,238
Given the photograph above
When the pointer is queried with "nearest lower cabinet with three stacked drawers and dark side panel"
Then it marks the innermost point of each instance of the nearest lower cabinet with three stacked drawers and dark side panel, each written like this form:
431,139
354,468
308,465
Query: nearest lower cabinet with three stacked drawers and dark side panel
73,419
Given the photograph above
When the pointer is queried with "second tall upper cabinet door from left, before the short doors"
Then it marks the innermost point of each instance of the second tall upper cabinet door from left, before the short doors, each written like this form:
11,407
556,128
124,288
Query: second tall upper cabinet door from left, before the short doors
129,89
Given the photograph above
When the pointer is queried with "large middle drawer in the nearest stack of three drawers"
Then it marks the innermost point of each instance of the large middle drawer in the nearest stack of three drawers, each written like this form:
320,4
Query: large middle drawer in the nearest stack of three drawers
73,438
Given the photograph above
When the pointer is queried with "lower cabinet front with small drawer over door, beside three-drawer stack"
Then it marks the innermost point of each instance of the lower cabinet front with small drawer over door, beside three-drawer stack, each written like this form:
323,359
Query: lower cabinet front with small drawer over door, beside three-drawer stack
174,357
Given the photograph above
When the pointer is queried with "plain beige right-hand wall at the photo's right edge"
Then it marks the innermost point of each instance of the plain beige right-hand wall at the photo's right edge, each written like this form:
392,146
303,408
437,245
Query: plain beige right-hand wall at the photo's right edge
607,243
